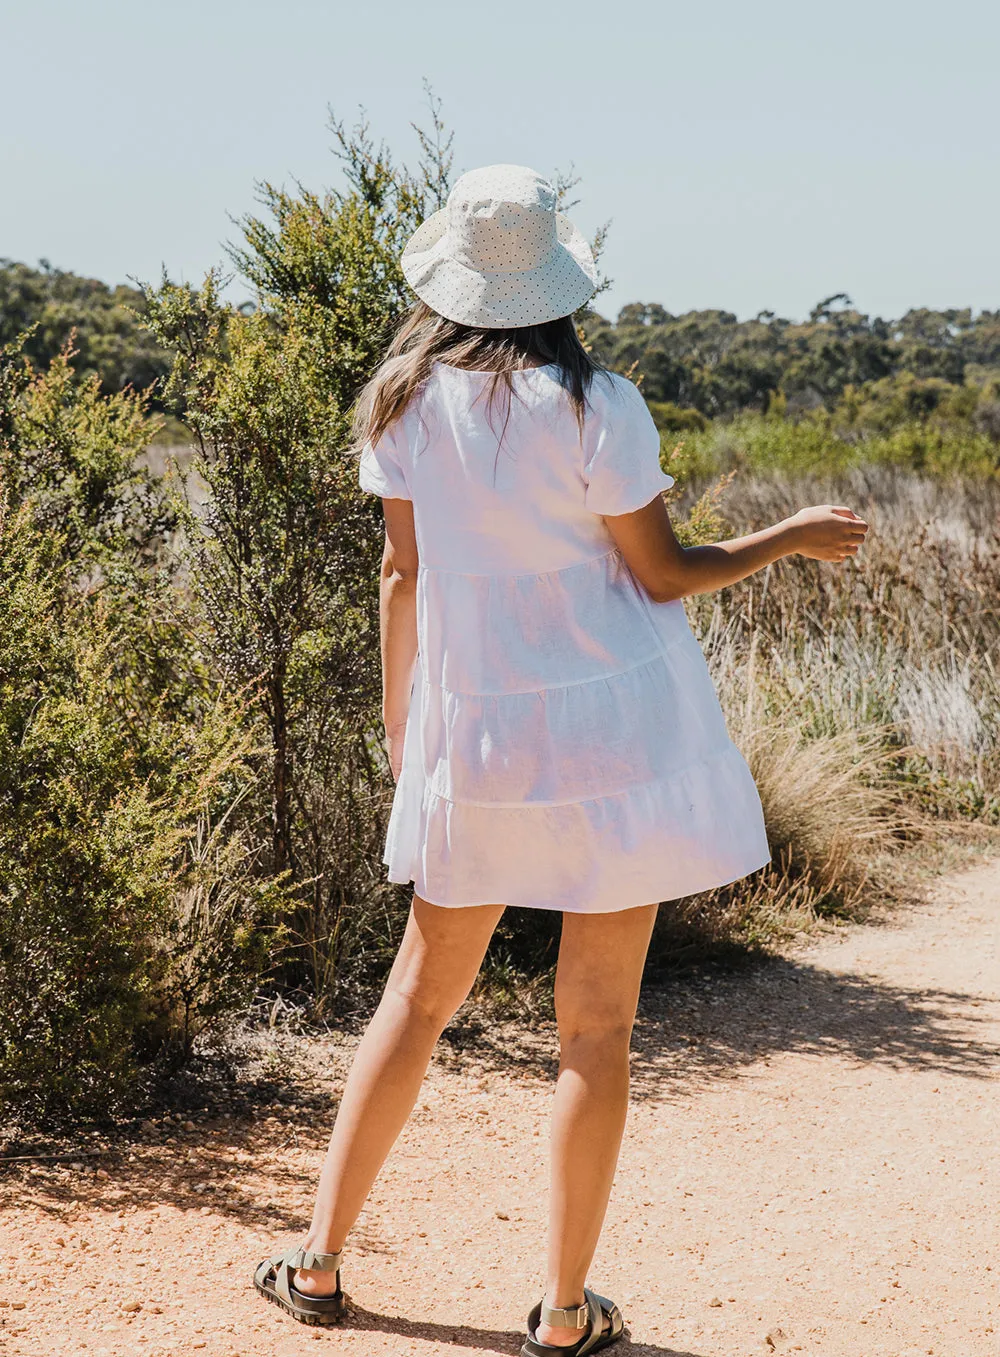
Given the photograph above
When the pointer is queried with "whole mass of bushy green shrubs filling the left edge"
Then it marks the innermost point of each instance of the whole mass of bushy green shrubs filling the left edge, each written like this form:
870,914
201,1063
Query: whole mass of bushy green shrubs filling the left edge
132,909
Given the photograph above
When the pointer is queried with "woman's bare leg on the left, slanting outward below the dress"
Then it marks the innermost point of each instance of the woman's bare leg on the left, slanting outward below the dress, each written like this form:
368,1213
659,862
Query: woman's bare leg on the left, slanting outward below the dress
438,961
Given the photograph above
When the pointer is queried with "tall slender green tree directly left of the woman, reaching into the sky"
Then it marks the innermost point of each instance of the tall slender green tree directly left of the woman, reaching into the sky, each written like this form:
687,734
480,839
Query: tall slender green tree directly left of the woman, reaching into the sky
286,550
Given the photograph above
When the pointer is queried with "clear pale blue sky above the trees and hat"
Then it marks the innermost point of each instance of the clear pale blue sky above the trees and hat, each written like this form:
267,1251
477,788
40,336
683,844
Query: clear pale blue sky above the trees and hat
750,155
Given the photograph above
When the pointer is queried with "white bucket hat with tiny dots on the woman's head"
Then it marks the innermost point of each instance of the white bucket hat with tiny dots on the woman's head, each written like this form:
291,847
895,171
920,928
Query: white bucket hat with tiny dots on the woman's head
500,256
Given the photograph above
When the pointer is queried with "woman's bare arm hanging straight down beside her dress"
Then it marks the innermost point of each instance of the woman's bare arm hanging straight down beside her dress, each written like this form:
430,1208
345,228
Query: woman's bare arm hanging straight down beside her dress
398,624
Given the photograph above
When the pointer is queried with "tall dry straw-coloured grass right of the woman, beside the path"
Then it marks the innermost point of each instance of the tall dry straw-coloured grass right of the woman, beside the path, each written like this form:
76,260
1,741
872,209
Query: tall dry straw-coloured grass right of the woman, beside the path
865,697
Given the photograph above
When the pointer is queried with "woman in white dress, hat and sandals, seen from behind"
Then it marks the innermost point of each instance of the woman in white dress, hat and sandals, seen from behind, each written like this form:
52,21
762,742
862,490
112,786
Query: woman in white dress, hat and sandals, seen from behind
550,719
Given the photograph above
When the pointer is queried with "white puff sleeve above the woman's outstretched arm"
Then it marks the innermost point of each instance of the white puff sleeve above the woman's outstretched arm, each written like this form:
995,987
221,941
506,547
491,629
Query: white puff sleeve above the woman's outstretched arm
623,472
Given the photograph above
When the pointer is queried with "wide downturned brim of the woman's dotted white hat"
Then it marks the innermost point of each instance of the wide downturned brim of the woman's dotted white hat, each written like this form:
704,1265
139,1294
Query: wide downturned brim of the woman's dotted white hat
500,301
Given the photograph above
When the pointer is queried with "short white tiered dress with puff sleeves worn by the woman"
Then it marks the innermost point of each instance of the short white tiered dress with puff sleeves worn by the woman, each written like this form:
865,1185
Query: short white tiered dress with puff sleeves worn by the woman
565,747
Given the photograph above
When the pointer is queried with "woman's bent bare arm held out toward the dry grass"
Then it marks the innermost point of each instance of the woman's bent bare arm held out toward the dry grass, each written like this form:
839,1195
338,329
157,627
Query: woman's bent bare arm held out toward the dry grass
667,571
